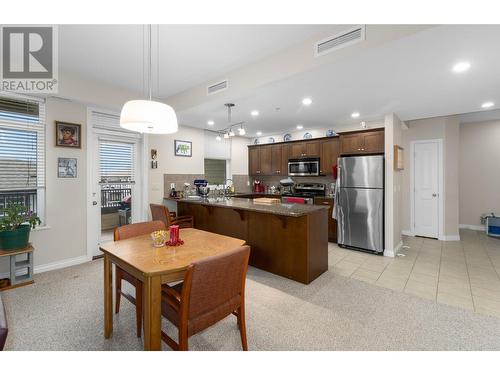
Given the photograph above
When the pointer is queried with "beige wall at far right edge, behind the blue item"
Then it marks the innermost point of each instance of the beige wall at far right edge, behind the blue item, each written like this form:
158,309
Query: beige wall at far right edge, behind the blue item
479,171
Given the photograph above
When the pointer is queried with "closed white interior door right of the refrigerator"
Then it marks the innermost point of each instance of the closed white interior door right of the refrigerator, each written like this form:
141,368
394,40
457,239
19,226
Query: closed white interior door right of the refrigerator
426,188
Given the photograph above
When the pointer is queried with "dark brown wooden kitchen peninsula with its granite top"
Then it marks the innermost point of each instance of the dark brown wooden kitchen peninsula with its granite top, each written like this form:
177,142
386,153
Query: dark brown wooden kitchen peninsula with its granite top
289,240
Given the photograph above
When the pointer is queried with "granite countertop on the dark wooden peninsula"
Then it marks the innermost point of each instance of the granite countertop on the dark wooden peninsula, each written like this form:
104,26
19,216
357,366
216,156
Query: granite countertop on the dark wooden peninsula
293,210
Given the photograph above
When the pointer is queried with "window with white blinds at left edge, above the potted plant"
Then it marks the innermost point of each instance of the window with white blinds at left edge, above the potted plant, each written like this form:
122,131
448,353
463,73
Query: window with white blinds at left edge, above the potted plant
22,153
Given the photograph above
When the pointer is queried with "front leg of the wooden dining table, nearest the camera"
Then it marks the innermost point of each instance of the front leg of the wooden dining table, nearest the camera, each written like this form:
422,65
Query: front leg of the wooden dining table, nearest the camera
152,313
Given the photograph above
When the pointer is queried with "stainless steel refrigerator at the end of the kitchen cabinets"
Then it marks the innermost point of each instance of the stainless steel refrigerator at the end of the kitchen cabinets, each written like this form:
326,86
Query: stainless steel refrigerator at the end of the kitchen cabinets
360,200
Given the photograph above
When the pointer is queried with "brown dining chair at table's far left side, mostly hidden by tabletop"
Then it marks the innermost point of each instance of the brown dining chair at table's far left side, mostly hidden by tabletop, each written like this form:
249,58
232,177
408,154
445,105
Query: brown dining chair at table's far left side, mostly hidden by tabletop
122,233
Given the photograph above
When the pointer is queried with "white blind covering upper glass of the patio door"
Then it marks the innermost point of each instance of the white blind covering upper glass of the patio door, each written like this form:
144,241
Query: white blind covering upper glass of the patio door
116,161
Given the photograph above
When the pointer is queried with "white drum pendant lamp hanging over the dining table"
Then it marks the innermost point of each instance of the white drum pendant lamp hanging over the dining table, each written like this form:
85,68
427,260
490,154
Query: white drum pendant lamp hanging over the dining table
148,116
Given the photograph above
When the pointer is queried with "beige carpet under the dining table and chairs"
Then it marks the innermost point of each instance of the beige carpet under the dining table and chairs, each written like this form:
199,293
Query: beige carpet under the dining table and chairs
64,311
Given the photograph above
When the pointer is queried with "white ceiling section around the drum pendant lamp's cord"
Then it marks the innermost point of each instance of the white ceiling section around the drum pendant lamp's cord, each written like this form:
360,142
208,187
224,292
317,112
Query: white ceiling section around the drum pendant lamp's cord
189,54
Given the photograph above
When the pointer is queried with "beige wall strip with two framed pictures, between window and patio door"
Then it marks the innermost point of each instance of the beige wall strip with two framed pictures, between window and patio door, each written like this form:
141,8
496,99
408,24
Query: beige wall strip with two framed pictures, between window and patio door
65,237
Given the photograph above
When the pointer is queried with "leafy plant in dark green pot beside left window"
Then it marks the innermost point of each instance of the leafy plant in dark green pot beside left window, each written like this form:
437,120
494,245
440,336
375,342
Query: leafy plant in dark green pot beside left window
16,221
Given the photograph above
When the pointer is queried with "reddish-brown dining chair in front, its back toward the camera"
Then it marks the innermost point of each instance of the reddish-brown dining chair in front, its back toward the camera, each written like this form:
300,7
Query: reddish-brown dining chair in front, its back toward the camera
213,288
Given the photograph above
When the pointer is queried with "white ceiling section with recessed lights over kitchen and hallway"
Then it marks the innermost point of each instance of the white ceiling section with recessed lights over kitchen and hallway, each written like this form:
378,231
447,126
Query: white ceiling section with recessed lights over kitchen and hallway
411,77
